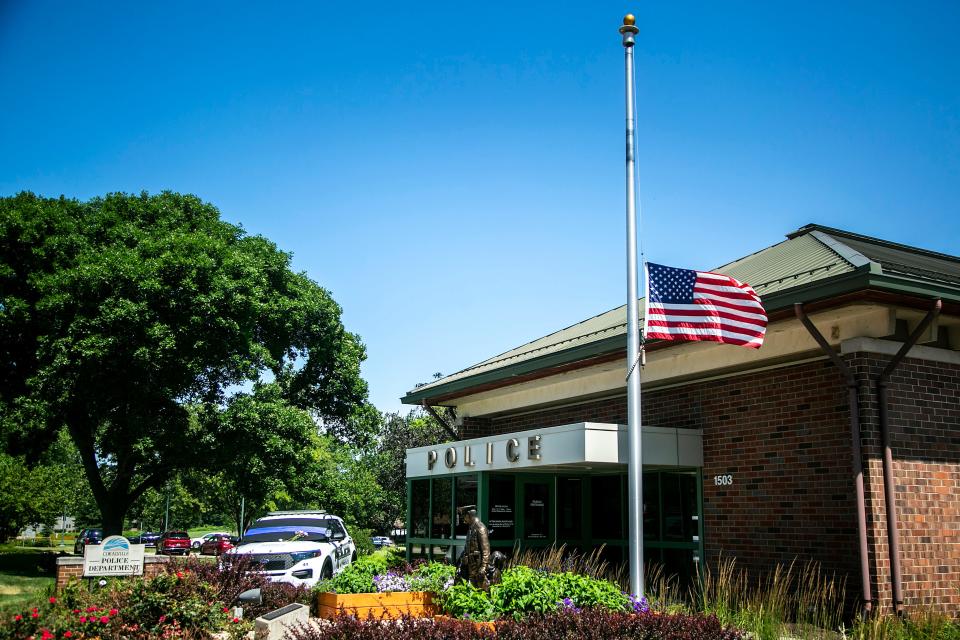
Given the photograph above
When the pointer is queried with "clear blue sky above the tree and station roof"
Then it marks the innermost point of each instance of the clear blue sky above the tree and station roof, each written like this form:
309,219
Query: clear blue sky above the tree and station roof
454,174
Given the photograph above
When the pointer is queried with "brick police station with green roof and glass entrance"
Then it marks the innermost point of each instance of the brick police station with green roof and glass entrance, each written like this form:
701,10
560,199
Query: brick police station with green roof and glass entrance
838,441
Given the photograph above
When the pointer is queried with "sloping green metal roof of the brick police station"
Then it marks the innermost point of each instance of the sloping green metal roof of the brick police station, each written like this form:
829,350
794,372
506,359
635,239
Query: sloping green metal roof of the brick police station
813,263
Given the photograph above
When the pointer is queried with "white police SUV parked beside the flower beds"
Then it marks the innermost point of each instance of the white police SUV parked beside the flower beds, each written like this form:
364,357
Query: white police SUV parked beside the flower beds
297,547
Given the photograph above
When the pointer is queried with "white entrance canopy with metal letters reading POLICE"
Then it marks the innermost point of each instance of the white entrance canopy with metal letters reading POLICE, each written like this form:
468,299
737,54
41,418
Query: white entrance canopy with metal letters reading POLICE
583,446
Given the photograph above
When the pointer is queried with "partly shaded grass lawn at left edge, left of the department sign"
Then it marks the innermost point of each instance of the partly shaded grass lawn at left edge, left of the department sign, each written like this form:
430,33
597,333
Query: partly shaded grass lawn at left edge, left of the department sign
26,575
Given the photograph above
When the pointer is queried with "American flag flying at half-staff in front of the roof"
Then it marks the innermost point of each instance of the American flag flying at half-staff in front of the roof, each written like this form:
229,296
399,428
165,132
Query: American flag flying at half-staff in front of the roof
683,304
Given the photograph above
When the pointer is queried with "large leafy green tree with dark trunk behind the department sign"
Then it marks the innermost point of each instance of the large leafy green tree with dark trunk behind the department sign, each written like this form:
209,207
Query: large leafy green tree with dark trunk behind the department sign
132,319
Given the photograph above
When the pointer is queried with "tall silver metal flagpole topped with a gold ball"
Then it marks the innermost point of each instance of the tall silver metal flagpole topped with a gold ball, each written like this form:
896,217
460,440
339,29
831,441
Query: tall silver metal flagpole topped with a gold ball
635,459
